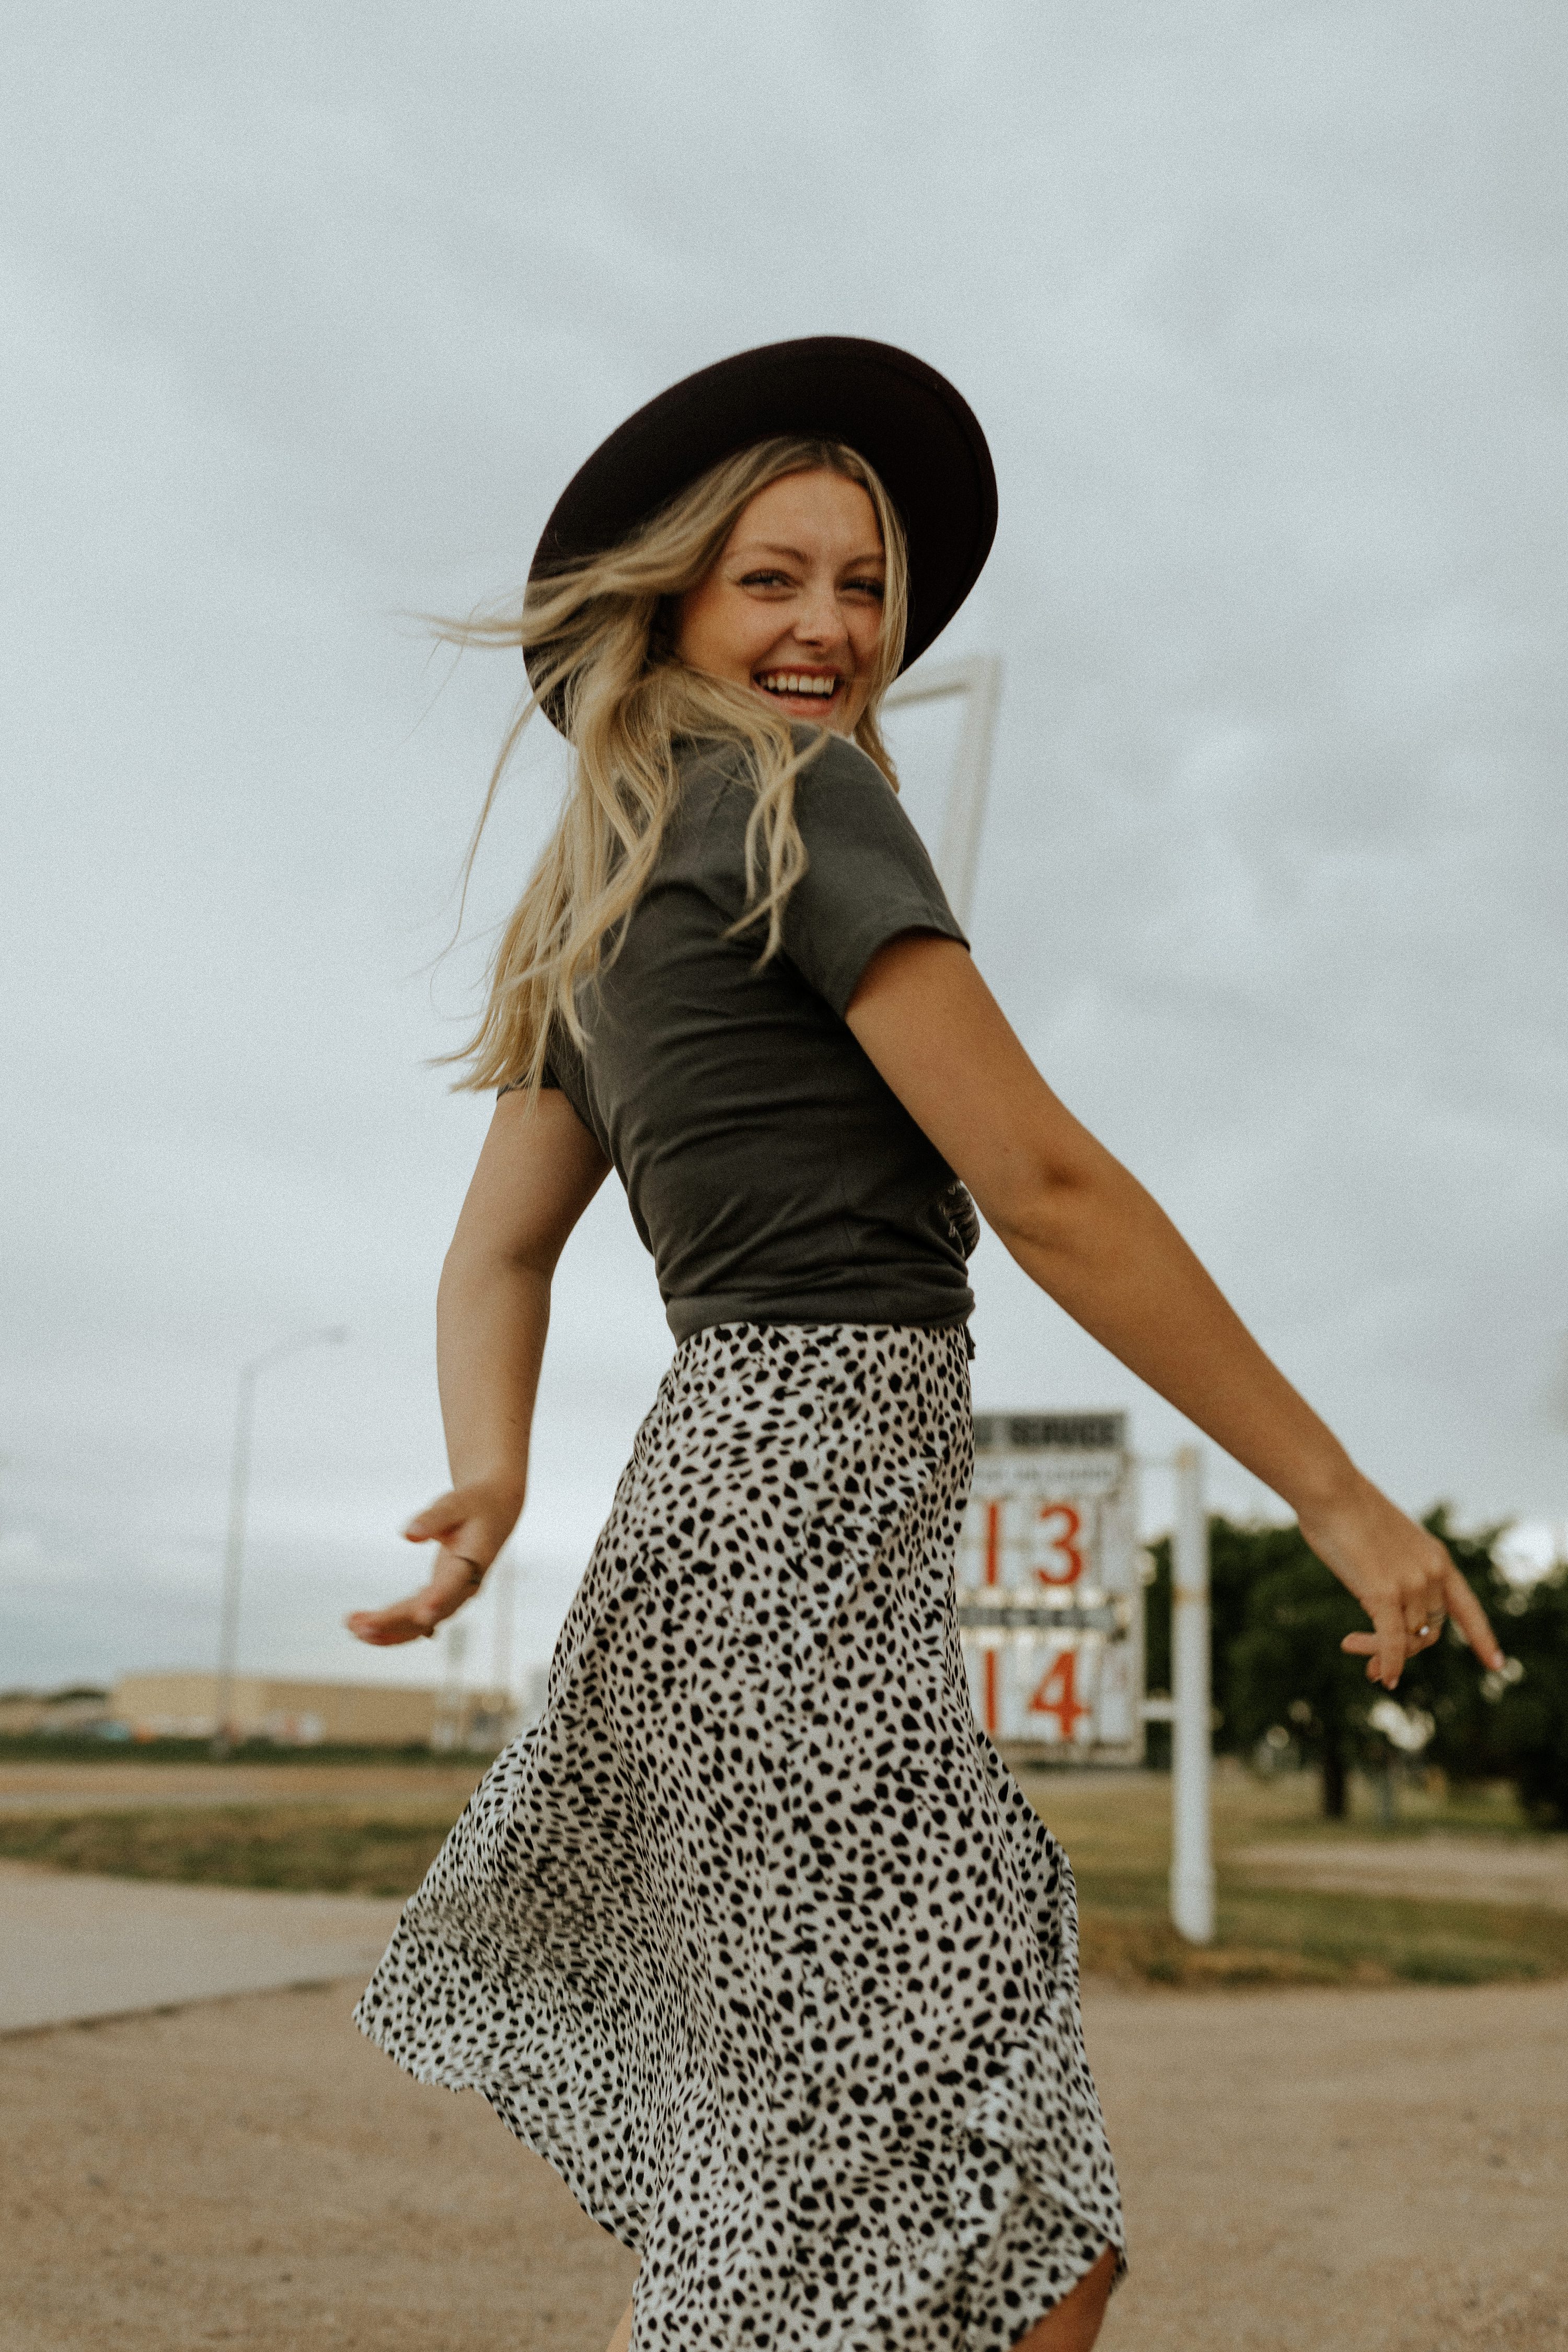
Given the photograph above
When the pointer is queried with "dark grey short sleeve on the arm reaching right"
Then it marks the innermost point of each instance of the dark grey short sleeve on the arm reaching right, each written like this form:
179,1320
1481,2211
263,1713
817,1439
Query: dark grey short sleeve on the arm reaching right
869,876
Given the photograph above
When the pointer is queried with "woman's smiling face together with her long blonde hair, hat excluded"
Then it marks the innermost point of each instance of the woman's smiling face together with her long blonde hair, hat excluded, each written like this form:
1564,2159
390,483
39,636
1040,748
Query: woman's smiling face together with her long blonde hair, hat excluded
699,627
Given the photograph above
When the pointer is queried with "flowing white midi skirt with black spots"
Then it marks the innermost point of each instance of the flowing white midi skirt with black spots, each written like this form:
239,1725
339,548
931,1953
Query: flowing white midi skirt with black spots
753,1937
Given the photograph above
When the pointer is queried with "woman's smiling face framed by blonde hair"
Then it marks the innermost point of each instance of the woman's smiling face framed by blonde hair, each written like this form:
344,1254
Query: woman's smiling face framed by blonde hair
793,606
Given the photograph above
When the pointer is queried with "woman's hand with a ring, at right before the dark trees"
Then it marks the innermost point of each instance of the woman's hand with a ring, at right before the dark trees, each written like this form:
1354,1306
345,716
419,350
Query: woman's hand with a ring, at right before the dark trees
1402,1577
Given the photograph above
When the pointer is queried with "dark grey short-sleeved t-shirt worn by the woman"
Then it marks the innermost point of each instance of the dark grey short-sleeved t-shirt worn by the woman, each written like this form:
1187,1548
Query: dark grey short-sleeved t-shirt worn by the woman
768,1165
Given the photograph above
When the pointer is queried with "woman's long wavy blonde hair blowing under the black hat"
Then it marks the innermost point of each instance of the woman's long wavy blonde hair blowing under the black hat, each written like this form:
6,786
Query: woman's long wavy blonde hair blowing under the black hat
603,660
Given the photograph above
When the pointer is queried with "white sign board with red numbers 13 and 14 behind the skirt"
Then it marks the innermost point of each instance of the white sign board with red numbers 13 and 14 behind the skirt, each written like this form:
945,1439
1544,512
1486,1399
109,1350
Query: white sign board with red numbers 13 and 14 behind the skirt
1052,1589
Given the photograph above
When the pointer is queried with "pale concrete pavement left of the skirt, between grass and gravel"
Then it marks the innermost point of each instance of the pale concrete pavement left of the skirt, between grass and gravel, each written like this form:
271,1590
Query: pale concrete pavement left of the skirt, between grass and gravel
76,1946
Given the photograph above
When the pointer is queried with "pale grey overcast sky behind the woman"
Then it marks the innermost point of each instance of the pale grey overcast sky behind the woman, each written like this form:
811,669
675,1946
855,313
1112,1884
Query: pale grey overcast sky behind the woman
307,314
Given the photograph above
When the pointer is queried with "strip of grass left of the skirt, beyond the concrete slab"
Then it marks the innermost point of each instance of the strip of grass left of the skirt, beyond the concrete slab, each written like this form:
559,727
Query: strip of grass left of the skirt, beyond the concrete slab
311,1850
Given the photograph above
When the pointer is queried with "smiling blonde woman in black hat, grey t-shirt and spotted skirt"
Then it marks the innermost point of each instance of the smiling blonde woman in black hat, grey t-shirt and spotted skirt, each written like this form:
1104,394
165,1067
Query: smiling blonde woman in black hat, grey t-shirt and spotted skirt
751,1935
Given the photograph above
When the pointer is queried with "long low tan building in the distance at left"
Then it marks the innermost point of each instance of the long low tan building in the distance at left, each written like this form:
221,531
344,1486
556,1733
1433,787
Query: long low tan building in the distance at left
182,1706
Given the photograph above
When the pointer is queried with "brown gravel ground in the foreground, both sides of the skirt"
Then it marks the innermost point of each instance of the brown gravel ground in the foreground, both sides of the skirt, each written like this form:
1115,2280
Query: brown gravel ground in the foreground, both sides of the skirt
1304,2170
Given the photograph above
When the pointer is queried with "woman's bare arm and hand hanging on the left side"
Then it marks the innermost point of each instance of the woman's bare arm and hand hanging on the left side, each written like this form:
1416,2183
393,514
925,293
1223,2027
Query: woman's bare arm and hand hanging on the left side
535,1177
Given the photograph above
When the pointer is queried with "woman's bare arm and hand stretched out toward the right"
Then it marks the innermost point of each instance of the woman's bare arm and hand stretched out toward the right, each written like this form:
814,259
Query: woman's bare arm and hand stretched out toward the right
1090,1236
